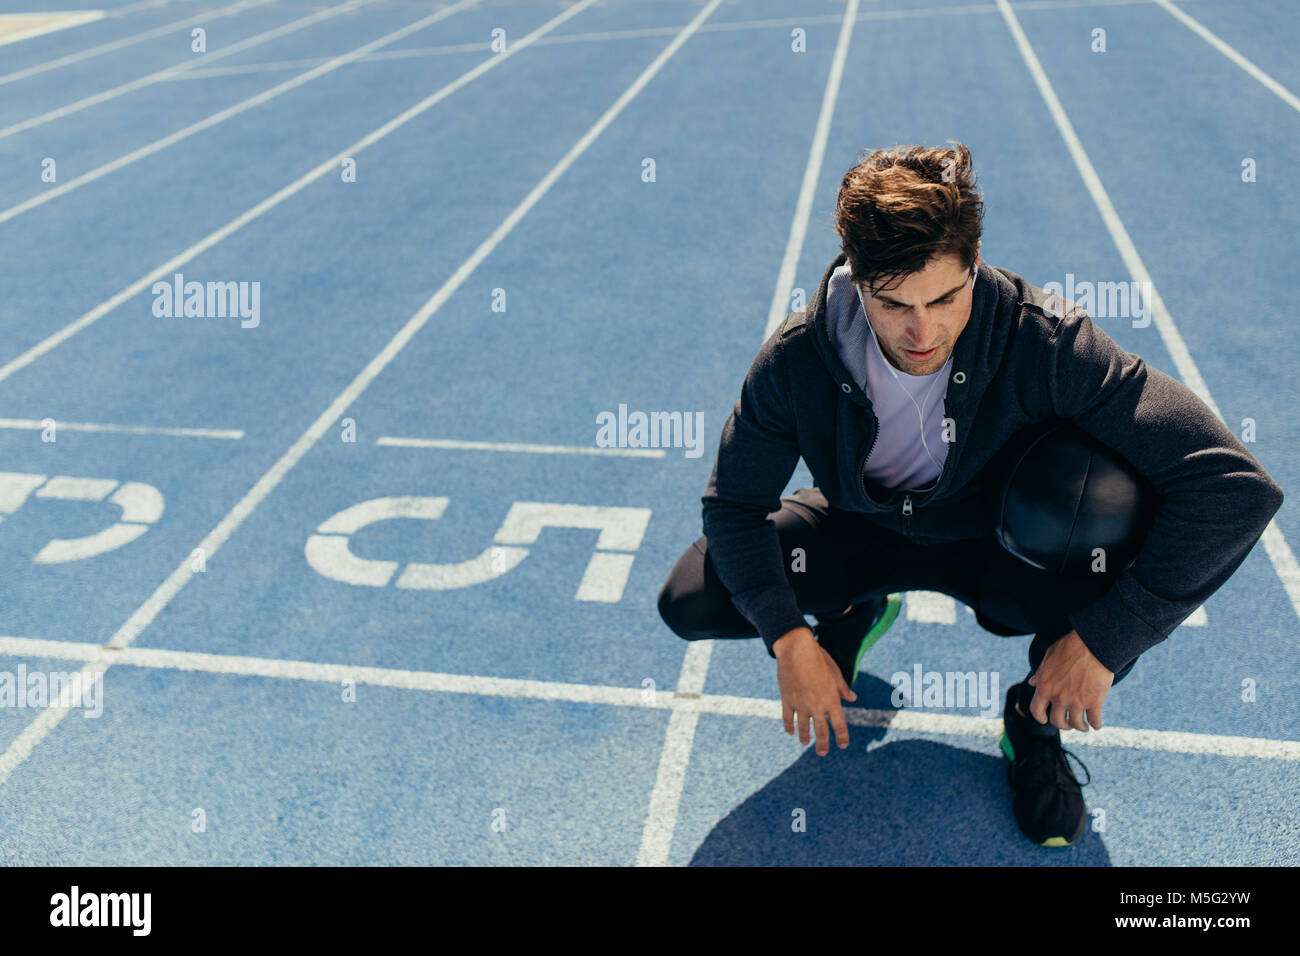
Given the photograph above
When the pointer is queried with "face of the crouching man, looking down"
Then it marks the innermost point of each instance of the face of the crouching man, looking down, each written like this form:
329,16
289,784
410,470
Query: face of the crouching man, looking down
922,312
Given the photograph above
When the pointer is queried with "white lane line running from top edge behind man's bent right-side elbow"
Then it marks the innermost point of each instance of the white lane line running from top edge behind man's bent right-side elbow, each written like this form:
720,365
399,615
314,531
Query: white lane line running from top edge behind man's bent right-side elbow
1275,543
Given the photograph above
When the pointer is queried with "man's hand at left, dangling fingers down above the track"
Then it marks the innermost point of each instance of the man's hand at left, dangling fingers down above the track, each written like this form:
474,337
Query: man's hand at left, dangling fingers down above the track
812,686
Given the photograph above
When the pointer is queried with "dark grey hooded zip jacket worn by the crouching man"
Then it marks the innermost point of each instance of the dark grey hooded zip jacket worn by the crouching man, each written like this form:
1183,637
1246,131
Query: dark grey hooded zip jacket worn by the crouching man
1025,357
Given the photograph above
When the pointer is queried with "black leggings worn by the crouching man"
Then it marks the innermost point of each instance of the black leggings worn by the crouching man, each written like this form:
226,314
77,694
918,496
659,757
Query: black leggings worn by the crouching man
848,560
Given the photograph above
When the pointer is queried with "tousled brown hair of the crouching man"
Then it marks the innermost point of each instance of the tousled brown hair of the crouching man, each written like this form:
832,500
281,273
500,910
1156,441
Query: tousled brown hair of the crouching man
904,206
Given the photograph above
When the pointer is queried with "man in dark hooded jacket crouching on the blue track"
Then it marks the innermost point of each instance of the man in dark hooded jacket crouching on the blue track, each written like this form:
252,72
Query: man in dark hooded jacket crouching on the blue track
973,435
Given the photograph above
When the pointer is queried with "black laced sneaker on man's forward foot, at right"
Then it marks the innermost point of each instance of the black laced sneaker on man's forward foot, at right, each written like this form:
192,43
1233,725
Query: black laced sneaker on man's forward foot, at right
1048,801
